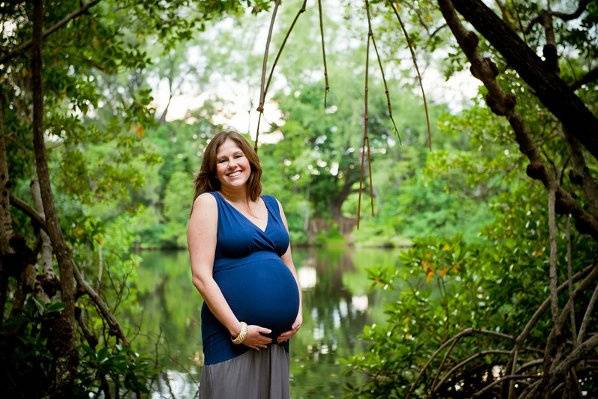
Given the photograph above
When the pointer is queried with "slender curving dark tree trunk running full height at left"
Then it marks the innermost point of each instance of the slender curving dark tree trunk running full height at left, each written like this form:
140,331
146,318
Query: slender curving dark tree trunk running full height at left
62,342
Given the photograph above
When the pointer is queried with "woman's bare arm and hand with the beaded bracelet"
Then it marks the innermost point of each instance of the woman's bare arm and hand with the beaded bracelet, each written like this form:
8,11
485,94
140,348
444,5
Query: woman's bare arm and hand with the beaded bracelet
201,239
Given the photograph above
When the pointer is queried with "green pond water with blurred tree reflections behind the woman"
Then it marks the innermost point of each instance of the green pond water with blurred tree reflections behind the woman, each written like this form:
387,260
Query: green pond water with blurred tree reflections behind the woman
337,303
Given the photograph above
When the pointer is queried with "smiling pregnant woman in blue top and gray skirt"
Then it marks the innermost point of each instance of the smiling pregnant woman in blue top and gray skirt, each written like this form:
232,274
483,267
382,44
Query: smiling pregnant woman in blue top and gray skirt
242,266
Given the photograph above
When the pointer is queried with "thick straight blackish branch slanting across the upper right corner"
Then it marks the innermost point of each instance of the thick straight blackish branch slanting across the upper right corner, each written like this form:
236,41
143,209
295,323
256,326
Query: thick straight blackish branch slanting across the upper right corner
550,89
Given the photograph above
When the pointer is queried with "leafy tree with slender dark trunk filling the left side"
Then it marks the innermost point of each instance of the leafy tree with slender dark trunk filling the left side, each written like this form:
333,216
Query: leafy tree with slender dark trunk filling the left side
77,100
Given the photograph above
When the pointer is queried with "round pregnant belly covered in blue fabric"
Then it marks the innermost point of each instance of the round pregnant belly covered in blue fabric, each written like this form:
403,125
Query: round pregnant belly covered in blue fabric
261,292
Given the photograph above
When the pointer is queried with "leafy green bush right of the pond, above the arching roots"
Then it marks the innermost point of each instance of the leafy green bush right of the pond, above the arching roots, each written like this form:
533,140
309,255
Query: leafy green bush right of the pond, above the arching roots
443,285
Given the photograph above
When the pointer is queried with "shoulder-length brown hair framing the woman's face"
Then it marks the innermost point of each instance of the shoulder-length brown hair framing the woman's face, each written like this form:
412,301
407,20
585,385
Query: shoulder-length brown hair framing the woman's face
206,179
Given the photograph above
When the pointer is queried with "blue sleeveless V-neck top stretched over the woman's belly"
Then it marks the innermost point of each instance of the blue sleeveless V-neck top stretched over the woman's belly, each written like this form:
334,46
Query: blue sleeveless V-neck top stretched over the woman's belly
257,285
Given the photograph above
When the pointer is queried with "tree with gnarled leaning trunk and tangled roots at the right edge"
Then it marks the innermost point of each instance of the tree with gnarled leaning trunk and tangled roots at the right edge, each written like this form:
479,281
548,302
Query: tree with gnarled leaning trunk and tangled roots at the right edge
539,86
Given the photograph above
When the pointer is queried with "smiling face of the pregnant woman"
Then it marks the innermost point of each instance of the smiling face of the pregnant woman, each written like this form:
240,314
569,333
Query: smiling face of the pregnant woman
232,166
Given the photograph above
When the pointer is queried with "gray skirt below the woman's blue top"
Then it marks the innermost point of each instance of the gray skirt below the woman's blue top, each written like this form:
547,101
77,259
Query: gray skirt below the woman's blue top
262,374
